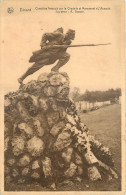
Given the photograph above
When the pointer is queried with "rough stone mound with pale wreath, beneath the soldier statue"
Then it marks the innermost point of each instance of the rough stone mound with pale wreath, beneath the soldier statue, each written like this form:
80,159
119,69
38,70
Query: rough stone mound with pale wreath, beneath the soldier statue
45,140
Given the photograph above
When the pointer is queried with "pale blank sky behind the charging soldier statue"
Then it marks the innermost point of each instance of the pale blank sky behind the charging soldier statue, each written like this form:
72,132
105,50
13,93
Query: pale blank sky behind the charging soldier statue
92,68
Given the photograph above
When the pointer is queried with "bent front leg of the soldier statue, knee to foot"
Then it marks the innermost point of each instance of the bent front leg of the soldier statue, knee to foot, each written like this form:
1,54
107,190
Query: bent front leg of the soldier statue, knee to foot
62,61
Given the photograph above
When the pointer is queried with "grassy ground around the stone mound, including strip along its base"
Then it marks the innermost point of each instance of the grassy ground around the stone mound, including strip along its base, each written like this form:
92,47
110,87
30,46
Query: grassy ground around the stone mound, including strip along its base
105,125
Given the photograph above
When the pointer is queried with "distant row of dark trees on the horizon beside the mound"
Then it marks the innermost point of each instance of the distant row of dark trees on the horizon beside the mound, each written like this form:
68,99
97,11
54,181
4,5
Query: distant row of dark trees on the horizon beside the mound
93,96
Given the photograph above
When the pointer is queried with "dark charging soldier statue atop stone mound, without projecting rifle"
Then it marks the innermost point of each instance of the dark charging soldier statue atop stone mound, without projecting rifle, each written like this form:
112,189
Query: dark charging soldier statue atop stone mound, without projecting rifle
49,54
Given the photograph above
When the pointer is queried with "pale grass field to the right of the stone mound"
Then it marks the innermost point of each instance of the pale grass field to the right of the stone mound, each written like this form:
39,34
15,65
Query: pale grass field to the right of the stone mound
105,125
